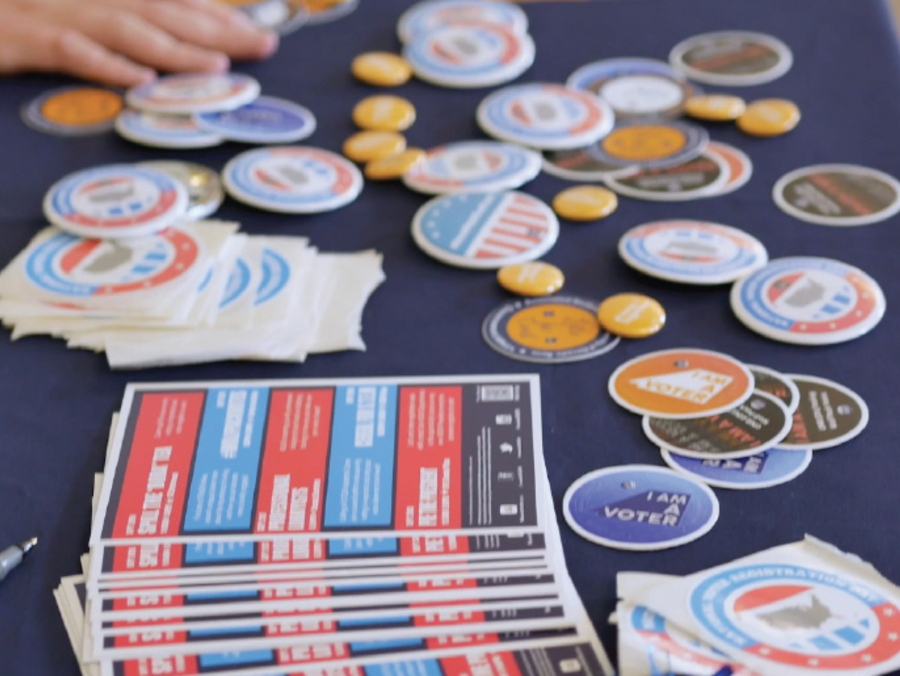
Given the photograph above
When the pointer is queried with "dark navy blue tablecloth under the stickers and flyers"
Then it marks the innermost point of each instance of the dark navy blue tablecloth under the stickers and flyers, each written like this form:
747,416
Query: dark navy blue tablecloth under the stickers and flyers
55,404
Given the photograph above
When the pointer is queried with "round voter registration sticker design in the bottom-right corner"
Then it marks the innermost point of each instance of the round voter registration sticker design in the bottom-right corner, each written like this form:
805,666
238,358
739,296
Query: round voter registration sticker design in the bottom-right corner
790,618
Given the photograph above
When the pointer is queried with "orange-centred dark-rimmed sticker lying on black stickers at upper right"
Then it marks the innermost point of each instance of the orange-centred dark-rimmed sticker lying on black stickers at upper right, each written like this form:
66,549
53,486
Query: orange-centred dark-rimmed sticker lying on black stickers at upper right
652,145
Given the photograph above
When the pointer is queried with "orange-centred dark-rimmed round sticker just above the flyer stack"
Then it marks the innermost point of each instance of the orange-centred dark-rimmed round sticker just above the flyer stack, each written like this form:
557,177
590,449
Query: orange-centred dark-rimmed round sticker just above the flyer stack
551,330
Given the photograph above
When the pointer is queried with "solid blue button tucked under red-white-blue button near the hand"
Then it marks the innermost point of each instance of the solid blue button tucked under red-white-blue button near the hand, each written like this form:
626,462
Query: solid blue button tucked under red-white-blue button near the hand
265,120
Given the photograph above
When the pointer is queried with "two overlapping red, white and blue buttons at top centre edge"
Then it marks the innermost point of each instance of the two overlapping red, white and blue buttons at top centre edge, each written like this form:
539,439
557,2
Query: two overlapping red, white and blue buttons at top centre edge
466,43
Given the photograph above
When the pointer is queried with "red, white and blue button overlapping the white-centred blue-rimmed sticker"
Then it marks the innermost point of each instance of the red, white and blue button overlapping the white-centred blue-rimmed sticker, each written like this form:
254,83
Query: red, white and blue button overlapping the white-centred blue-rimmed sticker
545,116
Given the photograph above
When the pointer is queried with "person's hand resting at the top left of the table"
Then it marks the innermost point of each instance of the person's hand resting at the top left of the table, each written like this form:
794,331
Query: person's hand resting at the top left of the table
124,42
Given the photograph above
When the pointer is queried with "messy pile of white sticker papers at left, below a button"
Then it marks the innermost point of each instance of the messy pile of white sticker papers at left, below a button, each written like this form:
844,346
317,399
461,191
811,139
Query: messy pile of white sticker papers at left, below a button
194,292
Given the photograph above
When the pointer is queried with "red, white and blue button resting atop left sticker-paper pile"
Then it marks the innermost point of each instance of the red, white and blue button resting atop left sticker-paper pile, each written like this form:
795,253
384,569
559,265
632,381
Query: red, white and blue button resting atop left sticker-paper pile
116,200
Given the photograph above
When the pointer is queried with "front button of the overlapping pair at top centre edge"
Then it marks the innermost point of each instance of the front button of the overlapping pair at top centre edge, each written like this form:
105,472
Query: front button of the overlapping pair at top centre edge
470,55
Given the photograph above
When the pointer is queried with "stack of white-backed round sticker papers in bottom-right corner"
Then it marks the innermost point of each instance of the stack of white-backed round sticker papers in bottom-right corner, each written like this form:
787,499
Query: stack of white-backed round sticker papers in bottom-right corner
796,609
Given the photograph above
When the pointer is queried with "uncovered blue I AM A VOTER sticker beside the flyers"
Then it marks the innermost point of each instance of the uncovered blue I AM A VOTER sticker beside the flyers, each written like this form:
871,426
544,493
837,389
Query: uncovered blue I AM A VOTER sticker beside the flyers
639,508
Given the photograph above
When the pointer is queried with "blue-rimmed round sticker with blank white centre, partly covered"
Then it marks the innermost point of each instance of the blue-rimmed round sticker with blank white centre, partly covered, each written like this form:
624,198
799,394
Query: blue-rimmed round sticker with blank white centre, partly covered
635,87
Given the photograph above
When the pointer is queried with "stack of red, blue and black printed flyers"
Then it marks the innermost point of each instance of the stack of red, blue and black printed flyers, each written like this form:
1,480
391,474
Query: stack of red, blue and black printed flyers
374,526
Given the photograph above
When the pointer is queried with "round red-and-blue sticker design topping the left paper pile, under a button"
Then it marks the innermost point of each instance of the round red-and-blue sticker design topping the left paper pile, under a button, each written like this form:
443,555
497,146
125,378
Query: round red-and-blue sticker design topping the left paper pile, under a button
75,268
